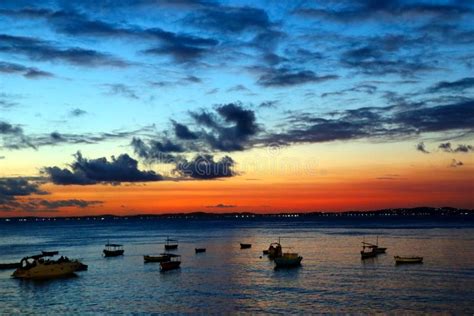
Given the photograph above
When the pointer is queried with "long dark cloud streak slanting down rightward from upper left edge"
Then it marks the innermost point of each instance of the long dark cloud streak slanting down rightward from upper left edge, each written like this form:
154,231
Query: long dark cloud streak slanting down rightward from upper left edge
36,49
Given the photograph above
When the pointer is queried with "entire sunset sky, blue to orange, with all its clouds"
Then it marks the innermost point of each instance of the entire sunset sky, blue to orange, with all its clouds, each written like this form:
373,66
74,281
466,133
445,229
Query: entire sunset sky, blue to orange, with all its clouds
160,106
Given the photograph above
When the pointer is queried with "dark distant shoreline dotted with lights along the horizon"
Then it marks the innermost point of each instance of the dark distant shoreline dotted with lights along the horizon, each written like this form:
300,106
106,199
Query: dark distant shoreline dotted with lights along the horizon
417,212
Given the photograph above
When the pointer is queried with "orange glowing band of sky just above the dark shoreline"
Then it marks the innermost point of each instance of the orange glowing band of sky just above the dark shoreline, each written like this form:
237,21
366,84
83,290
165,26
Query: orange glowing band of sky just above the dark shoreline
330,192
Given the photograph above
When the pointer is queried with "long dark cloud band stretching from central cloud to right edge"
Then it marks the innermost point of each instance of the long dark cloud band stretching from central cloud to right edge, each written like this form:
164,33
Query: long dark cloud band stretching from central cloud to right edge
391,122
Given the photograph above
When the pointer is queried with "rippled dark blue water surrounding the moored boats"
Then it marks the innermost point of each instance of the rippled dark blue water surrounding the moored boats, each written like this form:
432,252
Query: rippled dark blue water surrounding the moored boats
229,280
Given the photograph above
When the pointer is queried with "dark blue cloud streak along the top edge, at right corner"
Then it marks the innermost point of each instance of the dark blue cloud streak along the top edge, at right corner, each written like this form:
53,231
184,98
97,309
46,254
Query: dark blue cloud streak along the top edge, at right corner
354,11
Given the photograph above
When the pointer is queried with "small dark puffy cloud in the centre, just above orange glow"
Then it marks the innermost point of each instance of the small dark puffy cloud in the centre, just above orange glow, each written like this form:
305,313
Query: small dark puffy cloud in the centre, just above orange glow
204,167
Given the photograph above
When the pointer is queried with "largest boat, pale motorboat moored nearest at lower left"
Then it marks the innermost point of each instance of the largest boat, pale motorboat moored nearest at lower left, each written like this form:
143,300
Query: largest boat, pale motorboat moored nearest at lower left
35,267
